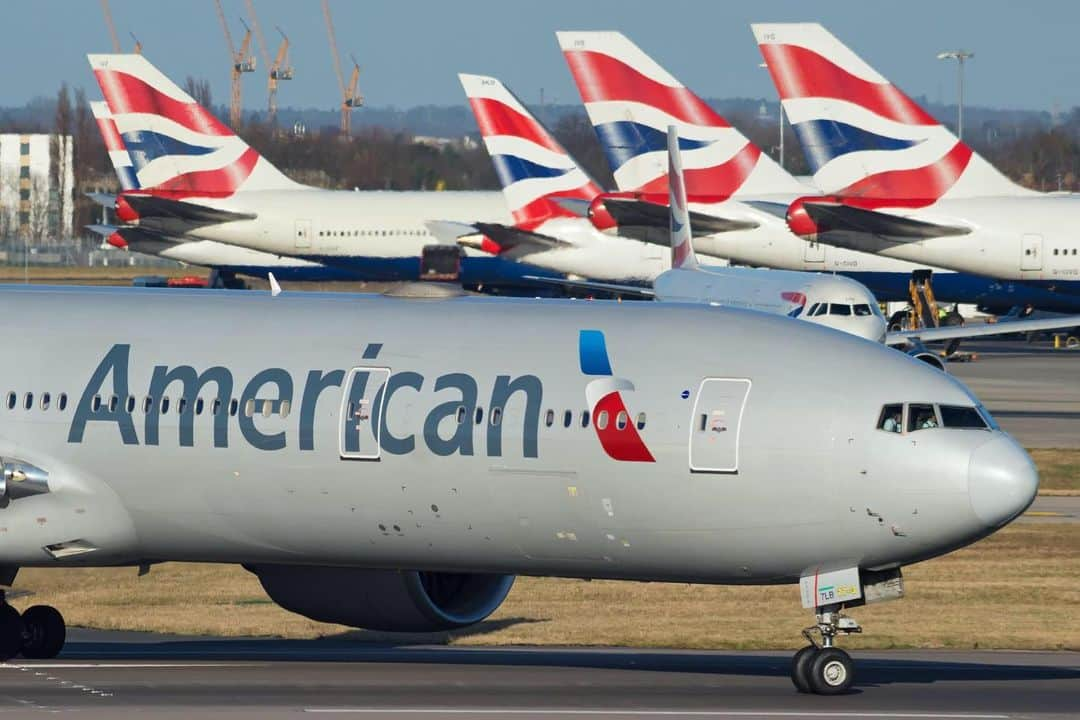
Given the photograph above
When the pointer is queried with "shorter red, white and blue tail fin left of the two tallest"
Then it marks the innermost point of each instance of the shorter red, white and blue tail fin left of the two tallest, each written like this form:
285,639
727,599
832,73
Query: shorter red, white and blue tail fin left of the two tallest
533,167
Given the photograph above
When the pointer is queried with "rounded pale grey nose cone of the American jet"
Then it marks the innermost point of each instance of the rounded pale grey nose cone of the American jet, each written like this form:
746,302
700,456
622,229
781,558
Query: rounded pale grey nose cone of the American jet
1002,481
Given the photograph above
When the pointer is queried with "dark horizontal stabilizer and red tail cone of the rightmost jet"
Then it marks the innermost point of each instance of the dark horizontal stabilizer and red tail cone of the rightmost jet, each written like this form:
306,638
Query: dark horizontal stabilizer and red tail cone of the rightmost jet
858,229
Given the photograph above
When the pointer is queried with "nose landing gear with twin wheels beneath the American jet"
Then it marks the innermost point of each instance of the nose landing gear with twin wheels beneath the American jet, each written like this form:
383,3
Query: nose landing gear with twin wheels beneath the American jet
826,670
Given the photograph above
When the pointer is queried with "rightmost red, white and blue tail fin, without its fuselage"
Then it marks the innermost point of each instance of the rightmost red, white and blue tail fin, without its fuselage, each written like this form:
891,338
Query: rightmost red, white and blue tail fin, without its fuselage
863,138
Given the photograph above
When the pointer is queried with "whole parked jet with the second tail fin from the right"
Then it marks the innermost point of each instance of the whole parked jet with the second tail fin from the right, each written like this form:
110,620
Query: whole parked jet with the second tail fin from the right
631,101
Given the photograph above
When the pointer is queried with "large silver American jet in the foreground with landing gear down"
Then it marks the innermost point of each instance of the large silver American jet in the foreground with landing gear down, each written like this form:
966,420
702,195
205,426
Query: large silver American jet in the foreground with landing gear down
381,467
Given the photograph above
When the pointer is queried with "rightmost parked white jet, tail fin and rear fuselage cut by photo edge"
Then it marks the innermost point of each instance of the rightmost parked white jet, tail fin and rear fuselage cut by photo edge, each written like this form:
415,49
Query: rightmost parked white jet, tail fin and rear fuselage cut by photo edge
895,181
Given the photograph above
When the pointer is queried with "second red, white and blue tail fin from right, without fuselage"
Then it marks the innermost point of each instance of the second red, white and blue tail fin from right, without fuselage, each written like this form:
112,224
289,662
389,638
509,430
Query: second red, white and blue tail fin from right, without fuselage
631,101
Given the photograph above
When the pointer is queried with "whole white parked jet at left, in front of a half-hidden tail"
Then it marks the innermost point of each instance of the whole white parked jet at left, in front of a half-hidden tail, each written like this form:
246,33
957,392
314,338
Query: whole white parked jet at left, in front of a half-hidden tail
199,181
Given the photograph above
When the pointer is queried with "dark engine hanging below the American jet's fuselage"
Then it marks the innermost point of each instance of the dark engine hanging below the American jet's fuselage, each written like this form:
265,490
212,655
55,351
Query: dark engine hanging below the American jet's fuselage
390,601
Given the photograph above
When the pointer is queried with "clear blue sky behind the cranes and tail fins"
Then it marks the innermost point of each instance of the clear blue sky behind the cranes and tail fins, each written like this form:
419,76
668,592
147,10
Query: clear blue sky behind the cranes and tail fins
1028,55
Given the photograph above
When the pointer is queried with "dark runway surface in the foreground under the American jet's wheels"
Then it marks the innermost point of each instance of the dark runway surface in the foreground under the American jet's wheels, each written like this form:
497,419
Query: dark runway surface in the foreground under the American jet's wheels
111,675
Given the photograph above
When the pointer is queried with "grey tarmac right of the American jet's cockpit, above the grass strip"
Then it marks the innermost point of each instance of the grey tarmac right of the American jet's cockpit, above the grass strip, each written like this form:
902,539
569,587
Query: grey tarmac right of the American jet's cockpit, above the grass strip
1032,390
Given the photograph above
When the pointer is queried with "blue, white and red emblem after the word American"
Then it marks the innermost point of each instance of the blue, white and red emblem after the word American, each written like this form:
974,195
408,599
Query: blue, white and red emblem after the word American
615,427
